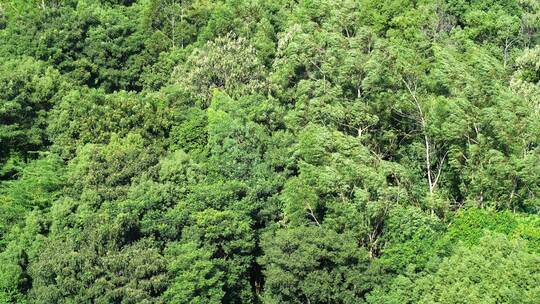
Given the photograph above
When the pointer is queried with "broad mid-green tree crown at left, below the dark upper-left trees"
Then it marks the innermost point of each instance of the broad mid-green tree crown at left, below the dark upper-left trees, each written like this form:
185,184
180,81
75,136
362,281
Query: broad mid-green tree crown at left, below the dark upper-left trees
92,117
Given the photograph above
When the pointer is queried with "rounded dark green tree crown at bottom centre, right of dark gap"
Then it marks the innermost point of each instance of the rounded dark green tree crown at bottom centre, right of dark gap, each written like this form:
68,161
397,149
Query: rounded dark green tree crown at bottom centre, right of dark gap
311,264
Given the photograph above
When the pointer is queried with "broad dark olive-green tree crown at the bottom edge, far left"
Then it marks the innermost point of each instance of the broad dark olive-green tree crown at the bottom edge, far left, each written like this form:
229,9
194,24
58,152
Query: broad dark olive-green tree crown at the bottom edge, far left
79,274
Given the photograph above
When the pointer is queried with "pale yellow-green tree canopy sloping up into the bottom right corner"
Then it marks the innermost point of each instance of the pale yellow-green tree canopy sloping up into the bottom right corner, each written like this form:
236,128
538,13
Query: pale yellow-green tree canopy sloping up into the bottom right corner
489,272
